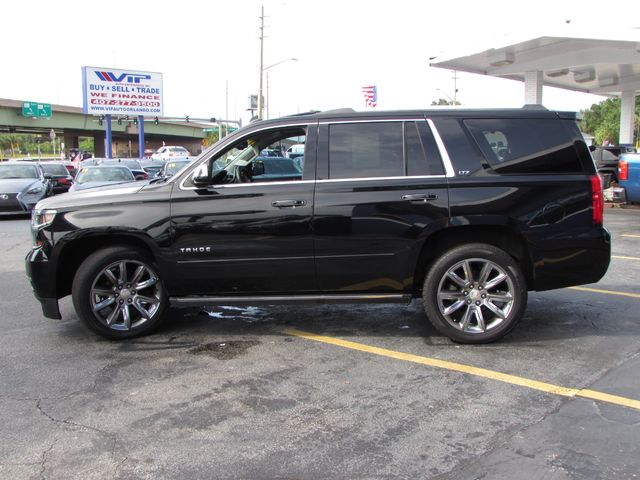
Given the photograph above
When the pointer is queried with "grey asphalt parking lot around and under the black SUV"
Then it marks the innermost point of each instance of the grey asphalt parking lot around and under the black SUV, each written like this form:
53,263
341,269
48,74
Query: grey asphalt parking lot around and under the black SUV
326,392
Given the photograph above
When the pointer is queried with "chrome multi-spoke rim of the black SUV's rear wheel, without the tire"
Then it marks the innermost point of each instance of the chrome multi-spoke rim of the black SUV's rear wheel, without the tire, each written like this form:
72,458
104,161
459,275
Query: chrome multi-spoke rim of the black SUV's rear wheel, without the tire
475,295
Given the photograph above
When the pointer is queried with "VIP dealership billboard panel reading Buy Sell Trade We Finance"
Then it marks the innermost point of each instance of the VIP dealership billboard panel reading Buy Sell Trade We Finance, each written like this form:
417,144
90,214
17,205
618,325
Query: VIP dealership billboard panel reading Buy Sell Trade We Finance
121,92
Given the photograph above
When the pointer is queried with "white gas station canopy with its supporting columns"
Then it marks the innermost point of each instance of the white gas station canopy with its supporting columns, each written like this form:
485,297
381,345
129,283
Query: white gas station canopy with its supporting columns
609,67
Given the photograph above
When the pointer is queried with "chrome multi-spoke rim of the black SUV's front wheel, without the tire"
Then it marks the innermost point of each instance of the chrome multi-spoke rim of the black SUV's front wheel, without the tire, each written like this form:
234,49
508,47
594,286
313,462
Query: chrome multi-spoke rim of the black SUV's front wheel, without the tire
125,295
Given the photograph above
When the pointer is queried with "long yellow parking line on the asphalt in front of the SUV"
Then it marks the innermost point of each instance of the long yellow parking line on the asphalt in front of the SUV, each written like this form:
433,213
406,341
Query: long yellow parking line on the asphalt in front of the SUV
471,370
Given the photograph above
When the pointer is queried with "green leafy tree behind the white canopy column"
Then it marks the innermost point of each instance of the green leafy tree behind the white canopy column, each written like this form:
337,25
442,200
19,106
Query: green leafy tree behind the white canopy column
602,120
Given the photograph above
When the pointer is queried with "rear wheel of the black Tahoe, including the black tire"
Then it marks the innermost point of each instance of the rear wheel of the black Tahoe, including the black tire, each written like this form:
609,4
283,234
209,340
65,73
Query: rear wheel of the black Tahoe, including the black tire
471,305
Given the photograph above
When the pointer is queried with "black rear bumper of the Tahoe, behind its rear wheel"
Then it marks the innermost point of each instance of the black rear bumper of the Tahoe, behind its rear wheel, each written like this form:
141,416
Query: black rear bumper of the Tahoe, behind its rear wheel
572,258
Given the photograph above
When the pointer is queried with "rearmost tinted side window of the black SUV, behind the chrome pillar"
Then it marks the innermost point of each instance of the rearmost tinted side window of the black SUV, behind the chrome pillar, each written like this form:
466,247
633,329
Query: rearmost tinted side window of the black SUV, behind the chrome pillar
525,145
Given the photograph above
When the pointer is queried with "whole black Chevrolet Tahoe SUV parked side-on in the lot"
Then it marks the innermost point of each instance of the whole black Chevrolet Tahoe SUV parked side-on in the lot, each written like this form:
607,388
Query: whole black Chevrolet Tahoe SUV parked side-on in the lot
465,209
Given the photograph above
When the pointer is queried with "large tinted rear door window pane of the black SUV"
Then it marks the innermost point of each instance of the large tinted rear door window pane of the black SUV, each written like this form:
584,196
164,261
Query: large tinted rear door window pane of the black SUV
359,150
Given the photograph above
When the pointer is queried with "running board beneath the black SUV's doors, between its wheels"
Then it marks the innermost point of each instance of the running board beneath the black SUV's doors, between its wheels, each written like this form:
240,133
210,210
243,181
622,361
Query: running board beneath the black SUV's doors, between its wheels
193,301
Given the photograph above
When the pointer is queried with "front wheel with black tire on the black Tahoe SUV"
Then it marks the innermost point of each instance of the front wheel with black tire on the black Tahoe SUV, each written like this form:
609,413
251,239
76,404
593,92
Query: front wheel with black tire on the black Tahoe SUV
111,302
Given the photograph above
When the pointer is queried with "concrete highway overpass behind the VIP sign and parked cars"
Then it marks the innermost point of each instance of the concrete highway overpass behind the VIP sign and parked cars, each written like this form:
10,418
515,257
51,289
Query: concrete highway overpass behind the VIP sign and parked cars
70,123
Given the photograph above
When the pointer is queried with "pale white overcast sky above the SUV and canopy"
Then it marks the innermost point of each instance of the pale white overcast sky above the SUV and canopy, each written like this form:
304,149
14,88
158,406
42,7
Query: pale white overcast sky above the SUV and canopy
208,51
